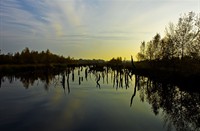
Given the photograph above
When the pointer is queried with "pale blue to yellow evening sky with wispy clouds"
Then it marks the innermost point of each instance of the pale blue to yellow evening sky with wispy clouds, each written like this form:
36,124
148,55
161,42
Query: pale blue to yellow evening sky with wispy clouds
87,29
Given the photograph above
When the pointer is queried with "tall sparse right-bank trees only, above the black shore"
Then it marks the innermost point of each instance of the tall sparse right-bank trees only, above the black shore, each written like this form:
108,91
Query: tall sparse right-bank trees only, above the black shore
181,41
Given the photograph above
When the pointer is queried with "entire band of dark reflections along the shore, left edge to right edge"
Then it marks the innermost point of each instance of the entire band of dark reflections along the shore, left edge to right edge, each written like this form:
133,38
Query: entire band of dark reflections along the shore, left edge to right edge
179,108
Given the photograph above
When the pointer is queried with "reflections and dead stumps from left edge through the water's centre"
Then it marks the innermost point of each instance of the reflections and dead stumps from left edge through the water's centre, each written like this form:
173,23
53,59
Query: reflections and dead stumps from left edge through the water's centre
60,77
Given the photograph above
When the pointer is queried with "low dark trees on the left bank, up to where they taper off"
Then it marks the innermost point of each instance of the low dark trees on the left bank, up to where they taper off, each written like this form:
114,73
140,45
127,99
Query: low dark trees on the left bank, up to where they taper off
33,57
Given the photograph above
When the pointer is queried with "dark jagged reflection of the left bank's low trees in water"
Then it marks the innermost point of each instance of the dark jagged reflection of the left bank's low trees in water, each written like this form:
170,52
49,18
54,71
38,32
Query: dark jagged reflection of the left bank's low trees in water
48,76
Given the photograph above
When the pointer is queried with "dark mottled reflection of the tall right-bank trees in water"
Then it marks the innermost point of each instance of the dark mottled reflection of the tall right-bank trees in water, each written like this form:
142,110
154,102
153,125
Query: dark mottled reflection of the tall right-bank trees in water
180,108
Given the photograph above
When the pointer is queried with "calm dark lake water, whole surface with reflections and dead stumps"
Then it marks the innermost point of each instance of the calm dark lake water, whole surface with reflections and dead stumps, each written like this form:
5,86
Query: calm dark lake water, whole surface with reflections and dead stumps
82,99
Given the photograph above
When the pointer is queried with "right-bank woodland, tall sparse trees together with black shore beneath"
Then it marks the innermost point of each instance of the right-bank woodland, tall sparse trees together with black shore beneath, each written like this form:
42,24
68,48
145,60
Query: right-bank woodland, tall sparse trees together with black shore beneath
177,53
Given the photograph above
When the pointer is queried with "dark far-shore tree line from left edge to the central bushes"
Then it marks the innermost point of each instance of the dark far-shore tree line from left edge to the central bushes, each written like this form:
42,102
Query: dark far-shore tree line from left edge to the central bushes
46,57
